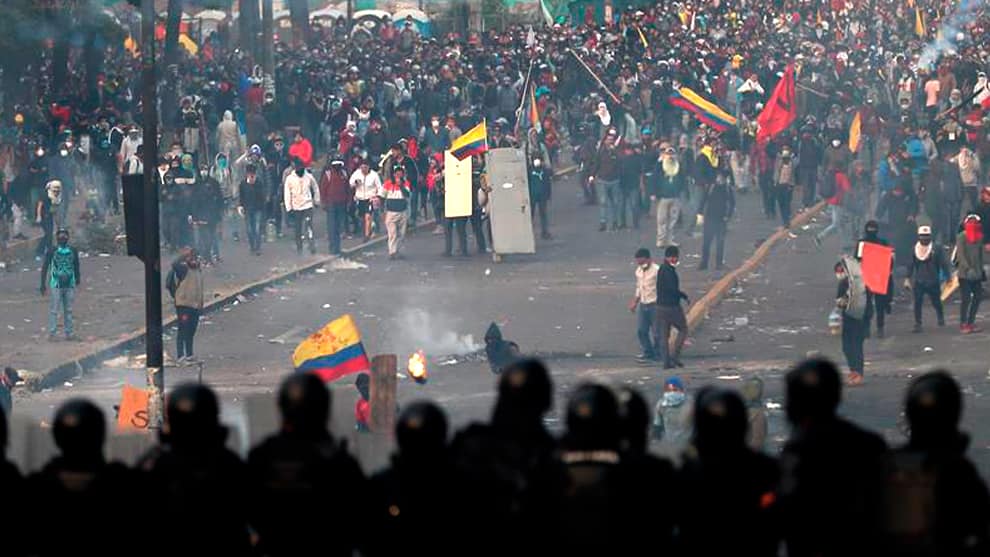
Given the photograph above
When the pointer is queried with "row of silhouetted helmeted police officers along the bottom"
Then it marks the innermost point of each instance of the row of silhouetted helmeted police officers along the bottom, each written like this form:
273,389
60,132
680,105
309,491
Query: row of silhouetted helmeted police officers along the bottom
509,485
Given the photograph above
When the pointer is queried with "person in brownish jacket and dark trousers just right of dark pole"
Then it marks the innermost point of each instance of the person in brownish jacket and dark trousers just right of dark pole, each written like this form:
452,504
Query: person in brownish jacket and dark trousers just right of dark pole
185,283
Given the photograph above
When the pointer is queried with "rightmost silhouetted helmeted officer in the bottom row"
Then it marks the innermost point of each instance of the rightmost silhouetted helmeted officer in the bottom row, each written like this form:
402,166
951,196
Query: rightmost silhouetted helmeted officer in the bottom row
934,500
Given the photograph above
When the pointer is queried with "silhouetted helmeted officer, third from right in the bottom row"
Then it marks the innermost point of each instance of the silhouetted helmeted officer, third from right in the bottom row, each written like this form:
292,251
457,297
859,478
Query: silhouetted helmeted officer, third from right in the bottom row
726,491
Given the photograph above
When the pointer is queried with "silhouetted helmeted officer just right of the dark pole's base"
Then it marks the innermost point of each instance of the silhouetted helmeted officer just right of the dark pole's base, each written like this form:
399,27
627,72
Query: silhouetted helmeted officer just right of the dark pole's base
199,486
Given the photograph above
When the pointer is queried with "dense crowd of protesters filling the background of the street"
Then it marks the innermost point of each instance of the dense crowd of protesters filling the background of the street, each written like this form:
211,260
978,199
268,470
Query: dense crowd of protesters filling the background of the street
340,101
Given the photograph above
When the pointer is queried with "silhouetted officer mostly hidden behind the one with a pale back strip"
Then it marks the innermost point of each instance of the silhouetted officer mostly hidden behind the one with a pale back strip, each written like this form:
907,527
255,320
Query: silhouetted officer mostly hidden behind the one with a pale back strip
651,477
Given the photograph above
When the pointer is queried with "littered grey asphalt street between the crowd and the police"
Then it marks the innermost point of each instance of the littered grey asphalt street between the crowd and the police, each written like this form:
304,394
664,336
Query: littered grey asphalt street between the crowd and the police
566,304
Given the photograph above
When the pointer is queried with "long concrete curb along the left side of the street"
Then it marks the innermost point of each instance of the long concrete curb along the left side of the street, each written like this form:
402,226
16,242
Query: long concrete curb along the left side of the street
77,365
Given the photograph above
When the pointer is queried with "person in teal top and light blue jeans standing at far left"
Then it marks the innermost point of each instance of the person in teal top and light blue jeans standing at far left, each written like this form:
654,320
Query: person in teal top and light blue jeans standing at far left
60,273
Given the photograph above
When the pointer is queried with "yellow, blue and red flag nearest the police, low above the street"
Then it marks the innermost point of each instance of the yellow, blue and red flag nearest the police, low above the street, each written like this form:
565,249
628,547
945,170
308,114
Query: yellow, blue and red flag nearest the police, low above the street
332,352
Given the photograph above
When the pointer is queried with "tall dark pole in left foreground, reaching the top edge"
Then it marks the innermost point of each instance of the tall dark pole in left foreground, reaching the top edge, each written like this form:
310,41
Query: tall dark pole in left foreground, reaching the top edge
152,253
